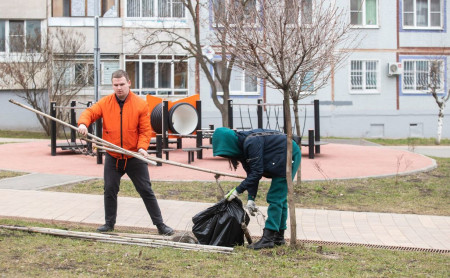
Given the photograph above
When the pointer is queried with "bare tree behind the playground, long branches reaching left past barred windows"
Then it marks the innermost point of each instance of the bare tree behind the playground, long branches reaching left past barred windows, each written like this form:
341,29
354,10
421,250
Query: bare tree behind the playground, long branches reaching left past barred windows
200,47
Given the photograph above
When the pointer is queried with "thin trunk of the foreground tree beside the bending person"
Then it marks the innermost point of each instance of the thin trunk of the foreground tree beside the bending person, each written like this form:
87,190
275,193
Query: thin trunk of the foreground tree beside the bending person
291,200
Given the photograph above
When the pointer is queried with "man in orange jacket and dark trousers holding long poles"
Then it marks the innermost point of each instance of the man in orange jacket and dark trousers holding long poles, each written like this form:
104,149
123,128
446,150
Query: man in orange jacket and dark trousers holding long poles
126,123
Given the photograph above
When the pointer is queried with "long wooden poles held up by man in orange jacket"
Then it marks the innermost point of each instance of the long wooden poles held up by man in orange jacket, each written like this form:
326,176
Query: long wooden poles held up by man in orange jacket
127,152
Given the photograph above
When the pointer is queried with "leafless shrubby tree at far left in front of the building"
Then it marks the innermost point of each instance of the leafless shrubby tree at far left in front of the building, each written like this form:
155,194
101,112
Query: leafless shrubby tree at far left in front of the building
39,66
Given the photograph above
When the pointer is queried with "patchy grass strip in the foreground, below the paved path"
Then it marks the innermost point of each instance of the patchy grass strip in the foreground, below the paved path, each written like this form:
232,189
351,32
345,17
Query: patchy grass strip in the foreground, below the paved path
36,255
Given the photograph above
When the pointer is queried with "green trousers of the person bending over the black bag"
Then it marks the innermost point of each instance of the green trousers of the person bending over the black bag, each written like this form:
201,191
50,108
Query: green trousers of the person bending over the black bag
277,196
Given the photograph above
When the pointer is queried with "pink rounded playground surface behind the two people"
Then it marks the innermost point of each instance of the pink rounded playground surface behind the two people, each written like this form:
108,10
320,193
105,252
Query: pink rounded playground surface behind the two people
336,161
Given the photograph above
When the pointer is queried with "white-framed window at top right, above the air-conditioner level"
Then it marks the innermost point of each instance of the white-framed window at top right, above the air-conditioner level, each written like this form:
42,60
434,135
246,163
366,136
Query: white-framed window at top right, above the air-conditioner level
422,13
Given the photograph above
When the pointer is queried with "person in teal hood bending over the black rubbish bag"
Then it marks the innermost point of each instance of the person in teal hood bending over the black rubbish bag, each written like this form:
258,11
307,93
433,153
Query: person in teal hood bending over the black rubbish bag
261,153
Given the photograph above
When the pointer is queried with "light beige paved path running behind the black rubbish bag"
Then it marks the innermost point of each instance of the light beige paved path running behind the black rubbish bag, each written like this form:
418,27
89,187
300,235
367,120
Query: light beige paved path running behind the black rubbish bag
385,229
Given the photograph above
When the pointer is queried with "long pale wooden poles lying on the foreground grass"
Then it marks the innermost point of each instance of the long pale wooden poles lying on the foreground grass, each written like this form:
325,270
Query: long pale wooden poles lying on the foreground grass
121,239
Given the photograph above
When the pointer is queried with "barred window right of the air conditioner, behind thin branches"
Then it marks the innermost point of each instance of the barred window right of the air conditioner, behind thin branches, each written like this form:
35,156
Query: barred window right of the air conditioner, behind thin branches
420,75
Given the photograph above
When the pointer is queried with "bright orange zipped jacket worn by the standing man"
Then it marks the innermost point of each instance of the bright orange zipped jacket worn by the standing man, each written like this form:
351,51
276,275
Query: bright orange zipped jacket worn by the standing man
129,130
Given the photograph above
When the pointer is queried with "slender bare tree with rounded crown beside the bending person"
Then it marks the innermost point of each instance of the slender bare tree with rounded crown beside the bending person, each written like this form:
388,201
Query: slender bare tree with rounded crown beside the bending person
290,44
